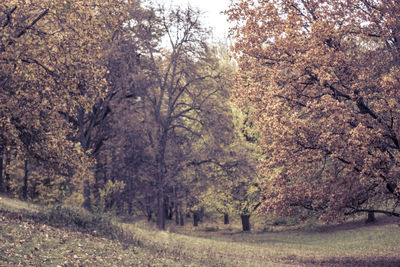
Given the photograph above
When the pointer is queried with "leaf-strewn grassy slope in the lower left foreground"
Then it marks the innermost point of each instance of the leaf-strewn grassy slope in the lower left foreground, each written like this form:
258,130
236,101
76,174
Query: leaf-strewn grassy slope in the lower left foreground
27,241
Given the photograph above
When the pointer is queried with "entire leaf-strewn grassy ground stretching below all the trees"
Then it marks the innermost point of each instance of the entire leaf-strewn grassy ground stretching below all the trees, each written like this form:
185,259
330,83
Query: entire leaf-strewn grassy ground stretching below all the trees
32,235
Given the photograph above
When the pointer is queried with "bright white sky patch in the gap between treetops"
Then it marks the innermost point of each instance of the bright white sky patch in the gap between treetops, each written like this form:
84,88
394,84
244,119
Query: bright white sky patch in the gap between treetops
212,16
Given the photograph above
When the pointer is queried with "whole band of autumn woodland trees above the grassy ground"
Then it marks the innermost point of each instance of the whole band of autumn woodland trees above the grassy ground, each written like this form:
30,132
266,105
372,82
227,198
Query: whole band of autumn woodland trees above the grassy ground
130,108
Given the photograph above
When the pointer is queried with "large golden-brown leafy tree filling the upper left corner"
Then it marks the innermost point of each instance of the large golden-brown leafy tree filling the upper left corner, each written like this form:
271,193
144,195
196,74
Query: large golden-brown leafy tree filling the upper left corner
50,68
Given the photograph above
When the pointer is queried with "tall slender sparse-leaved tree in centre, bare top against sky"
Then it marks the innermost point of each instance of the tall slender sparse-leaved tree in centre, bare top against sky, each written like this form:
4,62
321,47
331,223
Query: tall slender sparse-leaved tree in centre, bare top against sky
184,80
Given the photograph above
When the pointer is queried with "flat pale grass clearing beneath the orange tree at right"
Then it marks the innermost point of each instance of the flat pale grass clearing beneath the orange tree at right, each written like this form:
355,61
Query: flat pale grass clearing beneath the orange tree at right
376,245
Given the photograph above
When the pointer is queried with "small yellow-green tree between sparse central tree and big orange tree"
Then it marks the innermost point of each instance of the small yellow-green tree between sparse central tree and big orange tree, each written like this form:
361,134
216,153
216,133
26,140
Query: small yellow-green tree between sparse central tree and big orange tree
233,183
